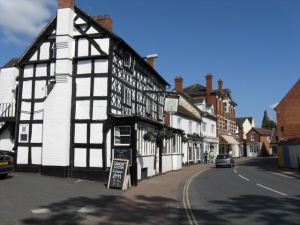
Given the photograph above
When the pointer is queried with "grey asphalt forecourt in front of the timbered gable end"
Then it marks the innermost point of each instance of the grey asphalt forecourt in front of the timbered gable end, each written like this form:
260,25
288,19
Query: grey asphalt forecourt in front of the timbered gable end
30,198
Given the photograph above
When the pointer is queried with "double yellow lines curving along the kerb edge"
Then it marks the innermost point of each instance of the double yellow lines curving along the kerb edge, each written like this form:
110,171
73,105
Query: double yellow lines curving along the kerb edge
186,201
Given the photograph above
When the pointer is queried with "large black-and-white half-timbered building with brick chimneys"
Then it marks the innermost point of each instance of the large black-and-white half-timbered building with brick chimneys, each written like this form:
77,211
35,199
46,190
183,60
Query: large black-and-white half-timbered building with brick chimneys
84,97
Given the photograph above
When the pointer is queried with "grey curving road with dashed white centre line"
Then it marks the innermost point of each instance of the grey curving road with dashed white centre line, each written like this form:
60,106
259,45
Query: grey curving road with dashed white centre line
247,194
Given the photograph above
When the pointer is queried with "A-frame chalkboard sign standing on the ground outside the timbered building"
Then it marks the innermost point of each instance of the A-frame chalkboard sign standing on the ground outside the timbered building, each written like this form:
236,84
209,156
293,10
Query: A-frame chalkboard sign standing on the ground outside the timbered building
118,173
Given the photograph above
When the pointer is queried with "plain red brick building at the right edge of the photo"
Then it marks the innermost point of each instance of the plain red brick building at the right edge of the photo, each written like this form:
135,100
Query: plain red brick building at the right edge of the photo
287,113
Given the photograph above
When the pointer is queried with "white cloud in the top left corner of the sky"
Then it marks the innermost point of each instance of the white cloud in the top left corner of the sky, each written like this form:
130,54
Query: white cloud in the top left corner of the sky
24,17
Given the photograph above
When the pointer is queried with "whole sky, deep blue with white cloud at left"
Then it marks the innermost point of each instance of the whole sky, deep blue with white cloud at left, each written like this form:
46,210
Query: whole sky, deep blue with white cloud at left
252,45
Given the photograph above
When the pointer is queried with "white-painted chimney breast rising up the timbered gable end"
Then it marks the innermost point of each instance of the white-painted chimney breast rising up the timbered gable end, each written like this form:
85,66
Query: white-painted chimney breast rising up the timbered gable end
57,106
